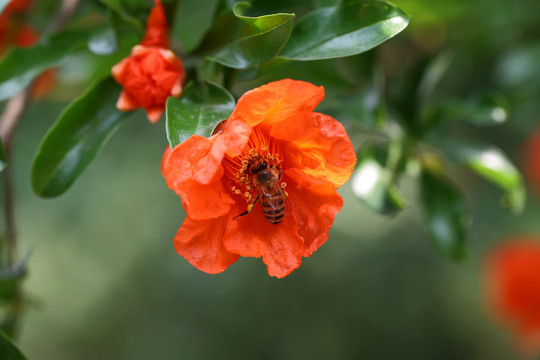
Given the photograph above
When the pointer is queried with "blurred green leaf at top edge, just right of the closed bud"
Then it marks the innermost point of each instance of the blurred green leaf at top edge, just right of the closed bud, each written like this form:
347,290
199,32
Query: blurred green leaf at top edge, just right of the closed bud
194,20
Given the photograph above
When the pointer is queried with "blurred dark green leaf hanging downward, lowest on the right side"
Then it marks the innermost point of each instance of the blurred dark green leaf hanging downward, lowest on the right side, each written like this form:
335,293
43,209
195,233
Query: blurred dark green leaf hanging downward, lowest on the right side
445,214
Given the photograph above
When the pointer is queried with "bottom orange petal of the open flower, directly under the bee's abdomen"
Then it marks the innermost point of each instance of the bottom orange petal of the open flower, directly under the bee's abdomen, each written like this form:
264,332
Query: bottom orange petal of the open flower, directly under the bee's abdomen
279,245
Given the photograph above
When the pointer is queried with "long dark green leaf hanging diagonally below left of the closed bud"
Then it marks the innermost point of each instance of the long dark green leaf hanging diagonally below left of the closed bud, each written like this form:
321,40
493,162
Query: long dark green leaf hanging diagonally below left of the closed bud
76,138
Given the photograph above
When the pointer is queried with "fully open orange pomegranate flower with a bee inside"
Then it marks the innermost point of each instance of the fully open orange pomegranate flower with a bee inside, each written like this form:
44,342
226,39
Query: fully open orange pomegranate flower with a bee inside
265,185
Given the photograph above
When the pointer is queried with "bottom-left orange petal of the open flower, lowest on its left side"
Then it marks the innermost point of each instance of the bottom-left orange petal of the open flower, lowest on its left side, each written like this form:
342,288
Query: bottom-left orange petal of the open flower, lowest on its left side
201,243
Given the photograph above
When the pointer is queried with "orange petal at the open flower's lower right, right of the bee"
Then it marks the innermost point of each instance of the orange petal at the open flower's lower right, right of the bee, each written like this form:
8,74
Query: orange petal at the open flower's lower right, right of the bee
315,203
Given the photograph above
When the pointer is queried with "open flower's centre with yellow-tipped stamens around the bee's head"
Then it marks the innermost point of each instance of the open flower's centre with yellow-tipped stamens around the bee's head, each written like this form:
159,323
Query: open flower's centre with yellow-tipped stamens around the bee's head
259,155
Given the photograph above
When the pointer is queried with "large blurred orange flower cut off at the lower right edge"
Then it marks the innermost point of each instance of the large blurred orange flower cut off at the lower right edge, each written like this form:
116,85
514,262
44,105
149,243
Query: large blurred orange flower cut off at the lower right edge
513,275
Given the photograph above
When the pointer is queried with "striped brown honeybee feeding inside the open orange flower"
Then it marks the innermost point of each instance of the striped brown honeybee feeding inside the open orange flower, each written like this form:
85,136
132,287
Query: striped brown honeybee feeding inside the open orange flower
272,197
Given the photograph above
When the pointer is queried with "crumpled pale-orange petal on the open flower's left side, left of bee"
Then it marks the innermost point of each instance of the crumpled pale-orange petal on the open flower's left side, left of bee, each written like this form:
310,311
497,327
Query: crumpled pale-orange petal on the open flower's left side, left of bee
201,201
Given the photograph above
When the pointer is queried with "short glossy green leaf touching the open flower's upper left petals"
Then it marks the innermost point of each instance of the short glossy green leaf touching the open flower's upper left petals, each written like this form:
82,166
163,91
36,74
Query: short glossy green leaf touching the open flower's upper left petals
201,107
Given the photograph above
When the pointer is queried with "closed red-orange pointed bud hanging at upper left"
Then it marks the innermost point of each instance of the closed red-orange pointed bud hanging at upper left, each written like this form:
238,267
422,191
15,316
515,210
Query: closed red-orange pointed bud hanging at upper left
152,72
